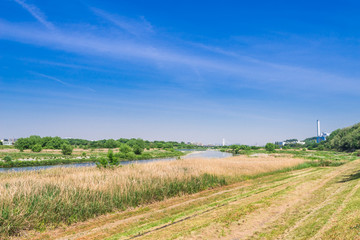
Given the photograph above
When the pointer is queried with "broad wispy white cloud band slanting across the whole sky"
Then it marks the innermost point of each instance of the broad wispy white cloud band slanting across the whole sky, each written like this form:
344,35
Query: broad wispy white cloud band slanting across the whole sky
233,72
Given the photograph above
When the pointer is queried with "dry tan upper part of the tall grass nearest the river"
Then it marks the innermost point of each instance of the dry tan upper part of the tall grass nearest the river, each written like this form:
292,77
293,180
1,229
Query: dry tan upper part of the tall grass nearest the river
95,179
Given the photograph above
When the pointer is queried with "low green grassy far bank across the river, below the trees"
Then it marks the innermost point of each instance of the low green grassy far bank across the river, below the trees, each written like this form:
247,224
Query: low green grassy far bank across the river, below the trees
28,159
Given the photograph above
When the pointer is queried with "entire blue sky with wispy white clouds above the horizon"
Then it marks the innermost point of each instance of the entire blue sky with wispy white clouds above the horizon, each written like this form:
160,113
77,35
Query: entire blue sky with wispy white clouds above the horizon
250,72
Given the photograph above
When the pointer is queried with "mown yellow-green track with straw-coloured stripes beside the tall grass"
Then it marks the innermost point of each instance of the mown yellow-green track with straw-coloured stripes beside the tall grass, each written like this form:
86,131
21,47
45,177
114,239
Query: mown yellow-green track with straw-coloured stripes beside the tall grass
294,205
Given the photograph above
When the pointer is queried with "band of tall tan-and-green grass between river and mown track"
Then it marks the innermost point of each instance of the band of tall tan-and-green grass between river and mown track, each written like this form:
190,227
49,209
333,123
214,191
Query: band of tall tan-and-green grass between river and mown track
45,199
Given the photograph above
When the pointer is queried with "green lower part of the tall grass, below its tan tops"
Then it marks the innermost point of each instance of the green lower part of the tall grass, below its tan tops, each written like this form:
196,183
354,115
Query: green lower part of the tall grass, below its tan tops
48,206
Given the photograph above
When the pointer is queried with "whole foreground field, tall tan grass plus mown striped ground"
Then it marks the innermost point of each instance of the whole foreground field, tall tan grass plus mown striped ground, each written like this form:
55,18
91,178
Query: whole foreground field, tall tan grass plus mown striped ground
263,197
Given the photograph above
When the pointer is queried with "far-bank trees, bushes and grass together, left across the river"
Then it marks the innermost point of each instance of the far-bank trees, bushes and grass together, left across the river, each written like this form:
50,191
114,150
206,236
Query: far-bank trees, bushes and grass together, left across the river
37,151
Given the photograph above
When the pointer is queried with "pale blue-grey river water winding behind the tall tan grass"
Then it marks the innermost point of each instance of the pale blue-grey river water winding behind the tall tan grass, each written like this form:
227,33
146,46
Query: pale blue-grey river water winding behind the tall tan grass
193,154
